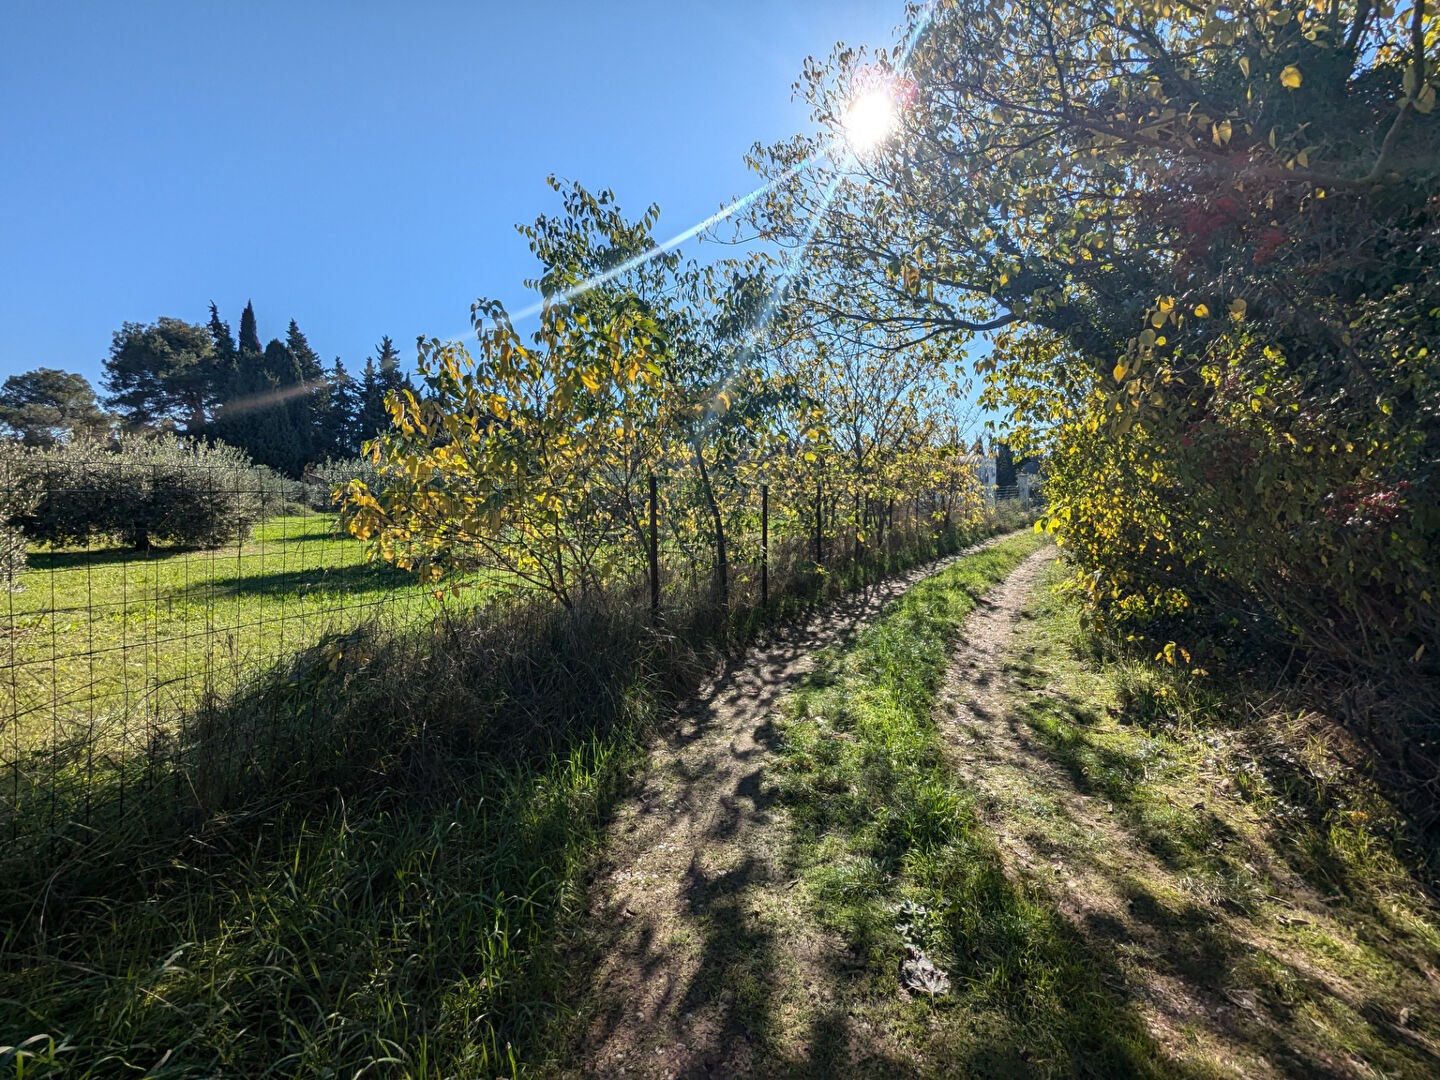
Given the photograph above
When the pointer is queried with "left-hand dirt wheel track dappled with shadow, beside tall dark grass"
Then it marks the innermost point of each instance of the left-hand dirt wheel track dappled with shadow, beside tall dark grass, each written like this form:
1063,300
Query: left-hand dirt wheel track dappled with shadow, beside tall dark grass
698,919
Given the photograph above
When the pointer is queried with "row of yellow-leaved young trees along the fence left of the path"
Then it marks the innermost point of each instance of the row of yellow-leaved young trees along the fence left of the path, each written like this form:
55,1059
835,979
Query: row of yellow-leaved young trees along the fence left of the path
535,457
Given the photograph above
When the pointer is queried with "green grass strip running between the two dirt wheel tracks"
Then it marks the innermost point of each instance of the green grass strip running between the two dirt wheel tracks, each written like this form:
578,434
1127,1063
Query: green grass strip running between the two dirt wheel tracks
895,859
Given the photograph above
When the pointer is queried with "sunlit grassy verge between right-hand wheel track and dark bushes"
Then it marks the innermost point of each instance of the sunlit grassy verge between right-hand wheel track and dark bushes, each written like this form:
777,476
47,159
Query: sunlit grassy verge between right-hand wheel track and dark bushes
1326,901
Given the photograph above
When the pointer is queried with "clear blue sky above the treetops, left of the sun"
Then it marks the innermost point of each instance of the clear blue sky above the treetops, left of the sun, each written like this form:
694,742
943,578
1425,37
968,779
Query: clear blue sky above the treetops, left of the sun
358,166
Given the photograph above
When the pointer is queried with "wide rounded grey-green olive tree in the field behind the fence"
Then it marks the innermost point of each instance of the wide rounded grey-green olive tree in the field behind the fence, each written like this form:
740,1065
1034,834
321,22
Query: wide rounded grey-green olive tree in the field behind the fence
148,492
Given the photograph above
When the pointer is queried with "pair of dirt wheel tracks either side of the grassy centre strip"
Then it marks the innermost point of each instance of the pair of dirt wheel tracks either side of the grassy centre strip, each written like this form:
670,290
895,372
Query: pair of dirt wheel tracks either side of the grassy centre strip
706,964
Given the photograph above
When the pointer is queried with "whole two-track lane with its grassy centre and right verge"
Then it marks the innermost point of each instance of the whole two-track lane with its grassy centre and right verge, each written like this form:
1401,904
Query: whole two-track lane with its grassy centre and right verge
970,846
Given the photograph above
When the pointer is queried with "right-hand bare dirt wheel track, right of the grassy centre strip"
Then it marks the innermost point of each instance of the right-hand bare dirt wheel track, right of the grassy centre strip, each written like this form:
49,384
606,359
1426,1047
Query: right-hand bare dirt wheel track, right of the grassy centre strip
1180,954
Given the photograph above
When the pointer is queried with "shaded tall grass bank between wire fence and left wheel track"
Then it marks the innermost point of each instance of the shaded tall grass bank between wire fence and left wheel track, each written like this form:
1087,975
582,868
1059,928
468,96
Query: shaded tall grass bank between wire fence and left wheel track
390,892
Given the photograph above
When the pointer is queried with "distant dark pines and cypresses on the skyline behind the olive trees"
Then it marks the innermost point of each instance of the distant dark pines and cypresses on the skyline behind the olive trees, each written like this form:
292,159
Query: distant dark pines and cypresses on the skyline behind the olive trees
277,402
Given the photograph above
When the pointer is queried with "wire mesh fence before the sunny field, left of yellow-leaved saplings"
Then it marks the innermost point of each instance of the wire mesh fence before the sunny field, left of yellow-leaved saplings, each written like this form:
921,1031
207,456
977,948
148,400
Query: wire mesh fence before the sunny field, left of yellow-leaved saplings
155,590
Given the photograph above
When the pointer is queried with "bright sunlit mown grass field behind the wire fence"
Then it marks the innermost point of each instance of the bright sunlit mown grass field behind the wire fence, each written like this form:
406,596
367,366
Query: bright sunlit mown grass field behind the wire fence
116,639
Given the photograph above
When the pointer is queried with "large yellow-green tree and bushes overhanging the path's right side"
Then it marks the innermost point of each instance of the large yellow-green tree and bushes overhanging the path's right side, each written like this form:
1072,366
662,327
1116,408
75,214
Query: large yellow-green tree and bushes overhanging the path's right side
1209,240
